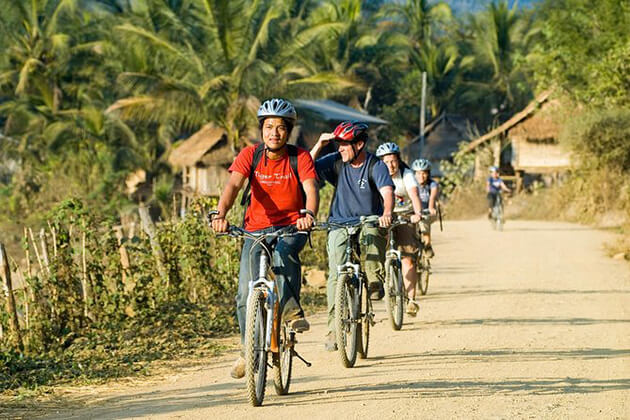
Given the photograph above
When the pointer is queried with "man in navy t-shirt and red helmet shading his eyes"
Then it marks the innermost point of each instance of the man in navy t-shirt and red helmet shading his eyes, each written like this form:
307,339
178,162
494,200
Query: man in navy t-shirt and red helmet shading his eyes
363,187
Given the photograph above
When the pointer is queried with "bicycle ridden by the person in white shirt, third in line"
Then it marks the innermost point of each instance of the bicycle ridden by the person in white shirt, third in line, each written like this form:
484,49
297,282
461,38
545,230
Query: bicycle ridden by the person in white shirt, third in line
395,296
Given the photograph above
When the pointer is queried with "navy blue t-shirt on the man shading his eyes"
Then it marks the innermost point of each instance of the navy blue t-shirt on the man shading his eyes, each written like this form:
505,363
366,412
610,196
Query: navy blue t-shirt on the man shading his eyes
354,197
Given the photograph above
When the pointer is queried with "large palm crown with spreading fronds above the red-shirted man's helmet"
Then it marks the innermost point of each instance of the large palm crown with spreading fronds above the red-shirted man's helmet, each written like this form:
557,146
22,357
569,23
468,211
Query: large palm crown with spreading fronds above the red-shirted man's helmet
211,60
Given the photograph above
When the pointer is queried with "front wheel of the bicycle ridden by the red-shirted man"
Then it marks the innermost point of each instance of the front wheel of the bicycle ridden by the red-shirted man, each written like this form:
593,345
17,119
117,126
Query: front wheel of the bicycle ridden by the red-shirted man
255,353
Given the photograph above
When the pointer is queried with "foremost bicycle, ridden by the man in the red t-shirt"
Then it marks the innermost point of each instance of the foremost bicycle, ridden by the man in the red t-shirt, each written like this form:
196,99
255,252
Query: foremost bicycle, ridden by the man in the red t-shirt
265,331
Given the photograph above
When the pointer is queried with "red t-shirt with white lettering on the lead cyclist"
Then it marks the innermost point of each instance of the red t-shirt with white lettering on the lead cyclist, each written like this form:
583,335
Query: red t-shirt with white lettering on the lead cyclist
276,197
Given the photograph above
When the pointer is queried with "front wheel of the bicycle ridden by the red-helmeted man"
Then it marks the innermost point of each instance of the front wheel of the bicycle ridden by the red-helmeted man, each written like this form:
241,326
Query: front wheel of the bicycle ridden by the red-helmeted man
346,312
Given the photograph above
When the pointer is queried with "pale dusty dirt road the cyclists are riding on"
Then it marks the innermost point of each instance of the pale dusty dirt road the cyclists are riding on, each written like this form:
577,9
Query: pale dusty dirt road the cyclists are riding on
532,322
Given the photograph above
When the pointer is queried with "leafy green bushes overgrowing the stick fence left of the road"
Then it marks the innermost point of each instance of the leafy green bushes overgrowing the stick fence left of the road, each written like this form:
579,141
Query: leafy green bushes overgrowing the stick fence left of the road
125,316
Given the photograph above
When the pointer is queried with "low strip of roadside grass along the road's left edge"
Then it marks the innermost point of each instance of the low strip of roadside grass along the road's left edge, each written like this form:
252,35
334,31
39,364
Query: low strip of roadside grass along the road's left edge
187,332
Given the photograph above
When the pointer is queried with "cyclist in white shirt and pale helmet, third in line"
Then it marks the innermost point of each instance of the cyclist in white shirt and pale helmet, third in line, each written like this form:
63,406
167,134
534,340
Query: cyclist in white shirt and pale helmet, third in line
407,200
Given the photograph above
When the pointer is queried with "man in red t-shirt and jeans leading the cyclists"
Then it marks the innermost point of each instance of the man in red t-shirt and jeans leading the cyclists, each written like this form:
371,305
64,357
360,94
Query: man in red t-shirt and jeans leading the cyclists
276,201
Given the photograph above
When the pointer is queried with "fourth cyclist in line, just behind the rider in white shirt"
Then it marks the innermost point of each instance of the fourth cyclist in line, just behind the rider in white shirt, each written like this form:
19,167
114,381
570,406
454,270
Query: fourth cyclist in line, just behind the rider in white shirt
428,190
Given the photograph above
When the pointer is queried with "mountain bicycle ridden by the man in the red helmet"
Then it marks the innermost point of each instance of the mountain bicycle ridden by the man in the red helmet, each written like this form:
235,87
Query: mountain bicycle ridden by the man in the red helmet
353,308
